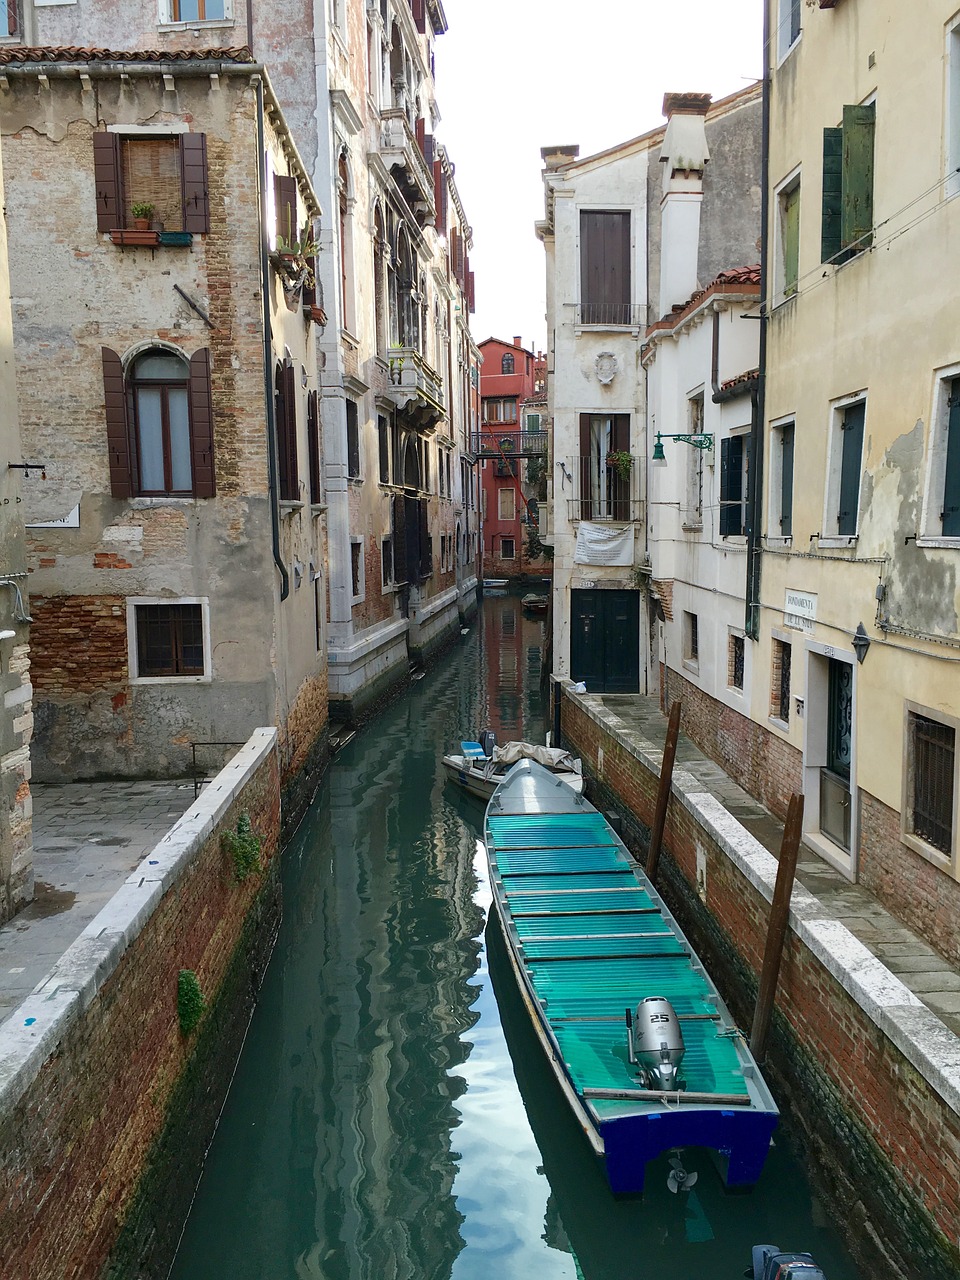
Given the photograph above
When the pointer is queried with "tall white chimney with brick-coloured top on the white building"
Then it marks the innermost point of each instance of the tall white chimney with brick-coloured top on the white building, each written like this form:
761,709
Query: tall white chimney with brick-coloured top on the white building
684,156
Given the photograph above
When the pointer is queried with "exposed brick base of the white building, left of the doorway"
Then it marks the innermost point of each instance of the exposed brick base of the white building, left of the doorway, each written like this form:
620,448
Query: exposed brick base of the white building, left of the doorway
764,765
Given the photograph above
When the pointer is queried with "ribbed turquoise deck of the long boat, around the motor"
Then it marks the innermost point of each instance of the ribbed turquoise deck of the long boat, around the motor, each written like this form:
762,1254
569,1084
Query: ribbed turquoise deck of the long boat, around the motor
574,898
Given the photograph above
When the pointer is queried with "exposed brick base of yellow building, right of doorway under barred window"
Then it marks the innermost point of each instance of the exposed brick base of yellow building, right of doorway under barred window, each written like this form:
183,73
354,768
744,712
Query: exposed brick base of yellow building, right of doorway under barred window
920,894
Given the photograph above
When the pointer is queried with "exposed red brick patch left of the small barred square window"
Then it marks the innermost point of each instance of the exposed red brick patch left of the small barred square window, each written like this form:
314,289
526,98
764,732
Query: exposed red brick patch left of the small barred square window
79,644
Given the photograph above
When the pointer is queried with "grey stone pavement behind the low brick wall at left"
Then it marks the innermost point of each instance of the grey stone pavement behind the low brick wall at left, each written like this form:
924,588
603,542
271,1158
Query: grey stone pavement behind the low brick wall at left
88,839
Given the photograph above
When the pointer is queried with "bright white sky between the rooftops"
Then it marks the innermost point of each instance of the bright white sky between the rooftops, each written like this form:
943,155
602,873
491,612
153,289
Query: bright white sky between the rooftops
514,76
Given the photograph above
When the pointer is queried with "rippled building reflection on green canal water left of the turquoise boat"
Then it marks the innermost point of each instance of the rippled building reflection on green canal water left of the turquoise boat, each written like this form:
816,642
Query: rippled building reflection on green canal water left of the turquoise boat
400,931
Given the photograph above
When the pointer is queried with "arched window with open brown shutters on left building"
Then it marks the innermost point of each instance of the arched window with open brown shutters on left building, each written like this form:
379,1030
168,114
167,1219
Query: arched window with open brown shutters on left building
159,423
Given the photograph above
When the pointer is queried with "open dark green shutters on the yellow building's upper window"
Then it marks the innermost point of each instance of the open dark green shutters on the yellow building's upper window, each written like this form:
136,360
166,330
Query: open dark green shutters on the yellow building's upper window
848,185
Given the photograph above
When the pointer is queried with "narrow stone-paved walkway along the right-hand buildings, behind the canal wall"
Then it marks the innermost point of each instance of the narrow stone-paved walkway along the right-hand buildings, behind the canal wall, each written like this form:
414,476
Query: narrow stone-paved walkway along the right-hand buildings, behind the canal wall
932,980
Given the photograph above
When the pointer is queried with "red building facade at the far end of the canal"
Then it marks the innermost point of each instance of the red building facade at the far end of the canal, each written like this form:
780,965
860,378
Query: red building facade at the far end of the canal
513,455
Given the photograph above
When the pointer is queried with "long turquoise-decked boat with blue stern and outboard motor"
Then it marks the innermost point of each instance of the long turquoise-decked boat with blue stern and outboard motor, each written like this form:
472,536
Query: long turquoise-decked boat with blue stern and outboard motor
638,1036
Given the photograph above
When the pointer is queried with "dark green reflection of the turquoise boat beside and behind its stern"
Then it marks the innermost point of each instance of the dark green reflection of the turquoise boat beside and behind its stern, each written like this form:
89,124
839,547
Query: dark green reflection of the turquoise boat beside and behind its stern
661,1233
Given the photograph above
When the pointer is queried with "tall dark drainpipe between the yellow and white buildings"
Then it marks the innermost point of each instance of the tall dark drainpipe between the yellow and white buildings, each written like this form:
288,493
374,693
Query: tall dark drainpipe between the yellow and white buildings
752,619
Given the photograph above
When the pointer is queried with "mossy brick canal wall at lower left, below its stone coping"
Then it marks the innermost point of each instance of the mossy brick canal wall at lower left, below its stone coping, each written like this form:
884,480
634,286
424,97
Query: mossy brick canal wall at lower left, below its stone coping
99,1156
